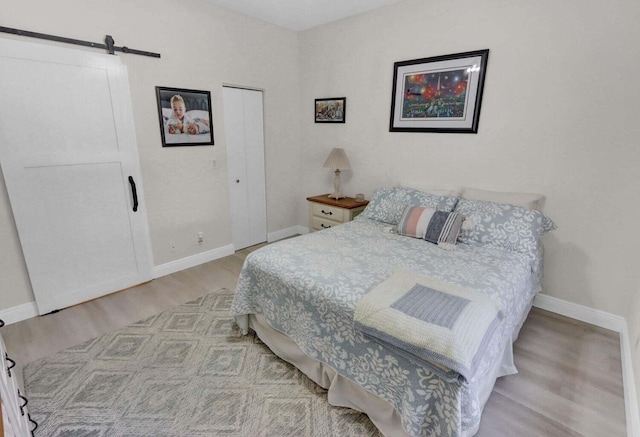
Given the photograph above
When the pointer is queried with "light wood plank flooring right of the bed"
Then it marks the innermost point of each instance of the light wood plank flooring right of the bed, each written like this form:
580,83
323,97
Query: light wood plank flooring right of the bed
569,382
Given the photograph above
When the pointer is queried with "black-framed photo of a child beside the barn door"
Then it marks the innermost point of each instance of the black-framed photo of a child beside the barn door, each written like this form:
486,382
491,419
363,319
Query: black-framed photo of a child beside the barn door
185,117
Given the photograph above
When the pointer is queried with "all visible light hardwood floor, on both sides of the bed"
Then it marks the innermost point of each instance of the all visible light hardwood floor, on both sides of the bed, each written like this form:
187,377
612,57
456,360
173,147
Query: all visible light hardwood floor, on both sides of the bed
569,381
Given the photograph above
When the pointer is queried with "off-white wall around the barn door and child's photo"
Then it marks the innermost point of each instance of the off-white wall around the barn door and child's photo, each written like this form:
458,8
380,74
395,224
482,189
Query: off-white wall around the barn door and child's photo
202,47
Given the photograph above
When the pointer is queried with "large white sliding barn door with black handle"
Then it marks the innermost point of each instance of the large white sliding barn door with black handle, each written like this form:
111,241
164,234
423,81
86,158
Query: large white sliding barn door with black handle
69,159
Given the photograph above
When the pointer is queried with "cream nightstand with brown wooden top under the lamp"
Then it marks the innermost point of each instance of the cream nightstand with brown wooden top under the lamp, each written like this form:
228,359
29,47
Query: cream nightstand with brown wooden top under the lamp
325,212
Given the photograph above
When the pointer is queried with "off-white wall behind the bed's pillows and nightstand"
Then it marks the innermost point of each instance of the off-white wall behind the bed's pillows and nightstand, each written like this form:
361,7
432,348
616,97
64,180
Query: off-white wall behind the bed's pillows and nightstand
560,116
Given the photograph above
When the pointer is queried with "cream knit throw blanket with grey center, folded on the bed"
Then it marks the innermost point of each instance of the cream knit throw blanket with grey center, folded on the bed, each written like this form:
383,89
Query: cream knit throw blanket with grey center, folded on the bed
434,321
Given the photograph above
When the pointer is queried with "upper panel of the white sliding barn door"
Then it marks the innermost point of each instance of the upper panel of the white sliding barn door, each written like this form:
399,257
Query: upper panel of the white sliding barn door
57,108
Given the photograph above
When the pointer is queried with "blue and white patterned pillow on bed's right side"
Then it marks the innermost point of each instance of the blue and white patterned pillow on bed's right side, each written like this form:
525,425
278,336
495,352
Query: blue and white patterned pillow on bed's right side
502,226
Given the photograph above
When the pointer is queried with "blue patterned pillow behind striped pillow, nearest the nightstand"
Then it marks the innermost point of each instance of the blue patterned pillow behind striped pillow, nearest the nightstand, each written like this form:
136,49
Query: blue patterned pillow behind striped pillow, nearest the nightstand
388,204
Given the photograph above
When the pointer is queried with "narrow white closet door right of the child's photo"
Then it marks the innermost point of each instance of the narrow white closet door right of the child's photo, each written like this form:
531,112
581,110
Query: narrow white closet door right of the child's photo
243,123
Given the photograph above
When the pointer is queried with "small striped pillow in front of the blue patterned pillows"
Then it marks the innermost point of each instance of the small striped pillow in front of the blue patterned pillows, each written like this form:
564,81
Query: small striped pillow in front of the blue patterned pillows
438,227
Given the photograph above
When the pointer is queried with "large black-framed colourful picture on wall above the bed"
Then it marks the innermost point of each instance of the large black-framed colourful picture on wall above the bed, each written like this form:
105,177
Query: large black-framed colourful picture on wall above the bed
439,94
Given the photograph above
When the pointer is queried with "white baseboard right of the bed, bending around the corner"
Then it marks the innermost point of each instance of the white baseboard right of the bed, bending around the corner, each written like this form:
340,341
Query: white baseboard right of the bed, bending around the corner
613,323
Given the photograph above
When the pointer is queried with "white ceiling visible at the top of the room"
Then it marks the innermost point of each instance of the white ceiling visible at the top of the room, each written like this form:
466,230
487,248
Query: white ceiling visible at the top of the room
301,14
